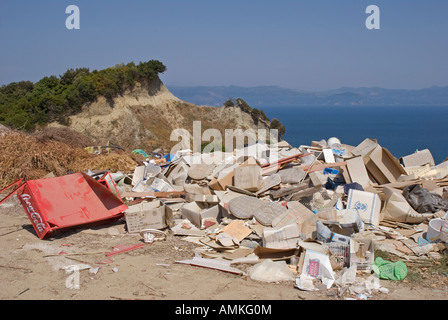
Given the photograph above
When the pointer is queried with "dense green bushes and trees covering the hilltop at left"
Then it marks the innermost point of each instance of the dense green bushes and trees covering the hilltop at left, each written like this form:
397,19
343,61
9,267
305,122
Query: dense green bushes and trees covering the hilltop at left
25,104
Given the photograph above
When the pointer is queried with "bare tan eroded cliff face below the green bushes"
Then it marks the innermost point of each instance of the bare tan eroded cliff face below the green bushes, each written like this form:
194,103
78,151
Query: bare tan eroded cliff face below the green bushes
146,115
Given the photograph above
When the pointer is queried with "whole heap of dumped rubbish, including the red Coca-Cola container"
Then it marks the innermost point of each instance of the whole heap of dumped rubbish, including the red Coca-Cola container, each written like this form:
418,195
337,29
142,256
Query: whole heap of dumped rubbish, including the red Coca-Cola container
314,215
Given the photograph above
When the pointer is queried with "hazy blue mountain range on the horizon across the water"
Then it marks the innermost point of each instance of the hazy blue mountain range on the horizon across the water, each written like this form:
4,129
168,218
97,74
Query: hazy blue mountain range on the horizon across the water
277,96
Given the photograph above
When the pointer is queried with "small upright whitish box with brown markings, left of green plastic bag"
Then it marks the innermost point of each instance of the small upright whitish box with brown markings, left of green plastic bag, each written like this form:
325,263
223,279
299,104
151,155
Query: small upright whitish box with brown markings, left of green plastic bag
362,254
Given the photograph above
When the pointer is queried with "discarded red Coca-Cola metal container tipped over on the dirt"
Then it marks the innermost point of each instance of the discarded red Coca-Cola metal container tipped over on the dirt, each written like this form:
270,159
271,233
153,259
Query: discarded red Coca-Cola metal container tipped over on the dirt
68,201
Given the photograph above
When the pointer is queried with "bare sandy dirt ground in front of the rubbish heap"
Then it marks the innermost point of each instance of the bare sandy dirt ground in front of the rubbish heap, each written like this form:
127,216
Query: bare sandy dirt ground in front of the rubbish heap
30,269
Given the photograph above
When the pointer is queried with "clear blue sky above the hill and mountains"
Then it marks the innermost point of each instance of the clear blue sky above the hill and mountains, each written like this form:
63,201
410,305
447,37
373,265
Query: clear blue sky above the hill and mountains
308,45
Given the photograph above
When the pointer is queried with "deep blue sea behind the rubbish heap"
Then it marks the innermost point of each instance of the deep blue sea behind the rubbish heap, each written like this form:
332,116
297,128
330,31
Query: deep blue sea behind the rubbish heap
402,130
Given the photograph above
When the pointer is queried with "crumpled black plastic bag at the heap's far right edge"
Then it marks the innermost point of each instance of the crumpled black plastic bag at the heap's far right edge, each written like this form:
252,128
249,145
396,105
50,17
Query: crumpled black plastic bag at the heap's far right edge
424,201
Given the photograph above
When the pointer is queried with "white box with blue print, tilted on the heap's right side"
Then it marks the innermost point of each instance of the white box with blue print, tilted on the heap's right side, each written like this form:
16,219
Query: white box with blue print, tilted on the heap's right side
368,205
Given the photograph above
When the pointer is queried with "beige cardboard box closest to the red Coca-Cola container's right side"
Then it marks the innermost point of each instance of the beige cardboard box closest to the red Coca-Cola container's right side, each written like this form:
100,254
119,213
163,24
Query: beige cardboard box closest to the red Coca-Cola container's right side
148,215
